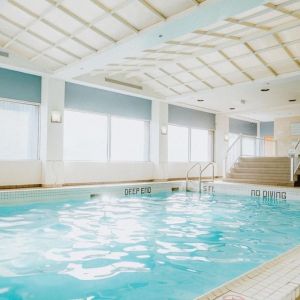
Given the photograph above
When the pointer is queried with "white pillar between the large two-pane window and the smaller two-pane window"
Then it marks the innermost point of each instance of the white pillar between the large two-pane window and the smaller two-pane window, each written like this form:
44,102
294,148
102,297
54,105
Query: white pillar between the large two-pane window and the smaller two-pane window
159,140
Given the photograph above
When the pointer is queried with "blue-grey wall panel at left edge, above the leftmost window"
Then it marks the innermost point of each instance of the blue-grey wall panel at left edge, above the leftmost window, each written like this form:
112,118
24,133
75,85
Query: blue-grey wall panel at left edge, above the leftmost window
20,86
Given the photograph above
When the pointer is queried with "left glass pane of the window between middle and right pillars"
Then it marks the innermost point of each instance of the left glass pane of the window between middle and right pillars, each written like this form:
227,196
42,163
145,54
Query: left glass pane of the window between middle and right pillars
178,143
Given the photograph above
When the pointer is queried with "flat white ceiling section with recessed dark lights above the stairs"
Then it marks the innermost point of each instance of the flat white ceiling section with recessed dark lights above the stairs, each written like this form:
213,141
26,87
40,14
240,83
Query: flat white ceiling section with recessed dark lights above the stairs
256,105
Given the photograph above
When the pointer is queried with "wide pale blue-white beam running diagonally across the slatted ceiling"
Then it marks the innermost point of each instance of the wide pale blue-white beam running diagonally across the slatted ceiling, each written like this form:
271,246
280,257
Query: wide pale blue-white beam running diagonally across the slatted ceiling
206,14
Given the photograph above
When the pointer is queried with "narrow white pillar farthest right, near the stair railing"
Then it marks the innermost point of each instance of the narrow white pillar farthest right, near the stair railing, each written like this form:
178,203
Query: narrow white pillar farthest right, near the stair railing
221,141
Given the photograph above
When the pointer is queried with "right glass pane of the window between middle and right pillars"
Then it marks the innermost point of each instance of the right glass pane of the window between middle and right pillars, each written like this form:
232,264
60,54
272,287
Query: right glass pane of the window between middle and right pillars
201,145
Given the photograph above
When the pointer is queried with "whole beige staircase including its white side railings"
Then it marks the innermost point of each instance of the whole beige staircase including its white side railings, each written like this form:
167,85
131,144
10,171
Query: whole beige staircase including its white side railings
260,165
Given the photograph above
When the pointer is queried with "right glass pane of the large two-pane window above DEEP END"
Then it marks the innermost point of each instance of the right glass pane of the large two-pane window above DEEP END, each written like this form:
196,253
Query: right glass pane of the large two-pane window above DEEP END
129,139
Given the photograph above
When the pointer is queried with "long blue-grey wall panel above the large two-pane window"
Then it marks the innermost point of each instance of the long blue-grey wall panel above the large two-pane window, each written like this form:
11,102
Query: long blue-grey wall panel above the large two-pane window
85,98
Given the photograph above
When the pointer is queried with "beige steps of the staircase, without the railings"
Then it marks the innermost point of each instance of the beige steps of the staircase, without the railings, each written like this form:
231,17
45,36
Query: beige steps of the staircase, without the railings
261,170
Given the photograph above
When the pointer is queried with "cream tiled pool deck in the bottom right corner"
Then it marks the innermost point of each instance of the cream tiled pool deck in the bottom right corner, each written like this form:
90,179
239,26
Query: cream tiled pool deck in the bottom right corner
278,279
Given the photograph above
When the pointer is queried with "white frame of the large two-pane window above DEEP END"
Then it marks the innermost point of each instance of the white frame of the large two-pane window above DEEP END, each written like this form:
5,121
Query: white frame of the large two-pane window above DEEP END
147,124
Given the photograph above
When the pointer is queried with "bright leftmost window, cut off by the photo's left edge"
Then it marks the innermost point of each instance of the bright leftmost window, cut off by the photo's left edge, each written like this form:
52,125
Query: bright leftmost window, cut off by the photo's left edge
19,128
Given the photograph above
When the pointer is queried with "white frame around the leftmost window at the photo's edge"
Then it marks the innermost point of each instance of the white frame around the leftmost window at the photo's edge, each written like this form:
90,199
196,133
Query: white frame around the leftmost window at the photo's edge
38,145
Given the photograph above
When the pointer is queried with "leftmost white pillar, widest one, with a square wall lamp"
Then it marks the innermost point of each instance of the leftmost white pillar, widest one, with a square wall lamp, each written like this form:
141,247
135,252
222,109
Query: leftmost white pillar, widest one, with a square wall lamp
53,98
